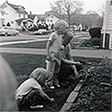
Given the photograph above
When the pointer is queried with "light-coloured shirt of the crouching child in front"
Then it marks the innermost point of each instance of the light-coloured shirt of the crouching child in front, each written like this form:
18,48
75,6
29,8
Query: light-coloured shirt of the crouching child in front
26,87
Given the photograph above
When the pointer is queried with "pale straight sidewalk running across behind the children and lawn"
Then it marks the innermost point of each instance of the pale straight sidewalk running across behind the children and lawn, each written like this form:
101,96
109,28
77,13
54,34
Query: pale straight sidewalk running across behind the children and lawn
75,52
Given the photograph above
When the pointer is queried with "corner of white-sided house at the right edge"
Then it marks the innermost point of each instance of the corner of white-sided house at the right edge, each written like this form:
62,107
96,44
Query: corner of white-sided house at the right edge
107,24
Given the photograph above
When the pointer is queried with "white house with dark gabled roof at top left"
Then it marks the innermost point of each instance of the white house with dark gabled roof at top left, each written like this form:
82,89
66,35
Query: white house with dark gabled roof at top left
13,14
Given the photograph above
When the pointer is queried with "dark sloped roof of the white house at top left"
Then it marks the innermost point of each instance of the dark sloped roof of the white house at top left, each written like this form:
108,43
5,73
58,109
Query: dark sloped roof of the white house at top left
17,8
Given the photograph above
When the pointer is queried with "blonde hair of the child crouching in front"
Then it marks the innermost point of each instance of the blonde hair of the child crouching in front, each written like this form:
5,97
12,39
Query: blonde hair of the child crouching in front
40,75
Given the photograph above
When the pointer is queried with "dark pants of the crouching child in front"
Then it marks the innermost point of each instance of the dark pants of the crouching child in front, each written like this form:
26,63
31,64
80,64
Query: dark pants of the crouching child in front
32,98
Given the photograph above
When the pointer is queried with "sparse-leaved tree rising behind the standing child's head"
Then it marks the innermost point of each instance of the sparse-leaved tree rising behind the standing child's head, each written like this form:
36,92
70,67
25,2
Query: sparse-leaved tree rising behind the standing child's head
66,8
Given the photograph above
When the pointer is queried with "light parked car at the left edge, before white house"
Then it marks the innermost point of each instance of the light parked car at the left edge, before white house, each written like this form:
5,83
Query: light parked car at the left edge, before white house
8,31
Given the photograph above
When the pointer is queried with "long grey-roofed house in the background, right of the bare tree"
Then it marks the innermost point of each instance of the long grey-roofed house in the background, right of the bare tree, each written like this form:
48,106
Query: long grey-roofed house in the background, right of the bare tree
86,21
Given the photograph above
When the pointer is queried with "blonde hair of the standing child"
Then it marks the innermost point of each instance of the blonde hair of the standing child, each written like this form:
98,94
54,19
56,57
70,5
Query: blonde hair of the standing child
61,24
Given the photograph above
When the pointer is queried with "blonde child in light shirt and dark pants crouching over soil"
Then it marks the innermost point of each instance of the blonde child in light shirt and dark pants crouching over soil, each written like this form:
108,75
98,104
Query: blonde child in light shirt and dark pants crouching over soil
30,92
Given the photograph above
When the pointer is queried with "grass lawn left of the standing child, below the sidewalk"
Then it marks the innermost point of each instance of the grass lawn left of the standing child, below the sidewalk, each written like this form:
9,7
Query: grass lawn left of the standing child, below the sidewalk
24,64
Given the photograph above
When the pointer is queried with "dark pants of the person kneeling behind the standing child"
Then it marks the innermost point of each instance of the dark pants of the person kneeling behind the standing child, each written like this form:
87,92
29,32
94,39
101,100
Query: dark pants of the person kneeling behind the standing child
67,71
